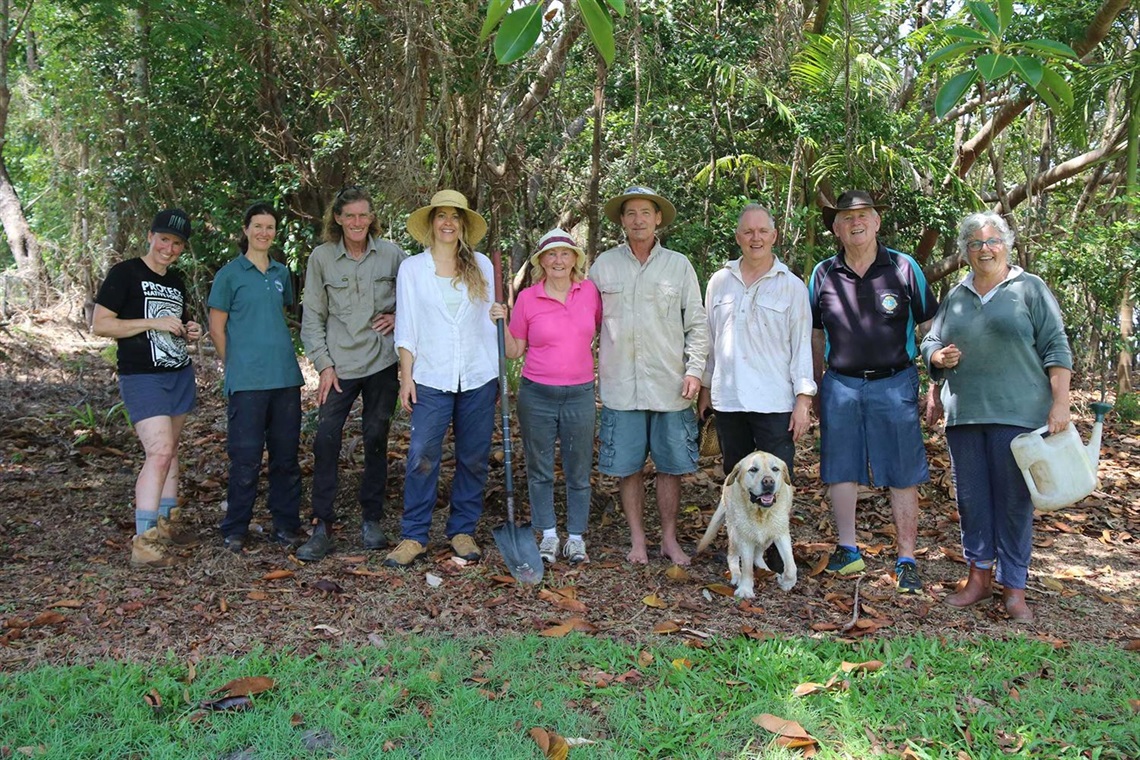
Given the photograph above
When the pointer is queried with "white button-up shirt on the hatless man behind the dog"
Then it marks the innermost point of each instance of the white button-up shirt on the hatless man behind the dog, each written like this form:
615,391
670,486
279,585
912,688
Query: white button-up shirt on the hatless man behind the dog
761,338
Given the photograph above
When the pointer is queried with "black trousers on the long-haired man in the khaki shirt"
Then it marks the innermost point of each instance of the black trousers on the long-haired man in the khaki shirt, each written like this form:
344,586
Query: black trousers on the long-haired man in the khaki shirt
380,391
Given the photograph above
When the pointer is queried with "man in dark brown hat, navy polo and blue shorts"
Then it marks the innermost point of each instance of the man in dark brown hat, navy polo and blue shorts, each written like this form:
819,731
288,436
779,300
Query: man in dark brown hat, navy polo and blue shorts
866,304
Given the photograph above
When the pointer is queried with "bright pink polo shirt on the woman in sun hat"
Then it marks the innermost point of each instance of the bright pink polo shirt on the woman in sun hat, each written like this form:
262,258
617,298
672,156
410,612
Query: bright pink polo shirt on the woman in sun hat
560,337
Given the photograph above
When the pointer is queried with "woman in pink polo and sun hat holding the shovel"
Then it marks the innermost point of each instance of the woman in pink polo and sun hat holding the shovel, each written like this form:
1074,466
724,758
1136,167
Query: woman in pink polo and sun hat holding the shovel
555,323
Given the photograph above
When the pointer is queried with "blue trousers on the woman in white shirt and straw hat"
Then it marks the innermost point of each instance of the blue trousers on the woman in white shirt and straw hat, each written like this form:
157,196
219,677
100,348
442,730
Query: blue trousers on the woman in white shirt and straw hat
471,416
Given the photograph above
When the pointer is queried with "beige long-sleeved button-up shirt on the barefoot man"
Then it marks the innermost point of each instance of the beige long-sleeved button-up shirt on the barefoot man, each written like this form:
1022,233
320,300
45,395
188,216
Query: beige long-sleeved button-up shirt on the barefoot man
654,329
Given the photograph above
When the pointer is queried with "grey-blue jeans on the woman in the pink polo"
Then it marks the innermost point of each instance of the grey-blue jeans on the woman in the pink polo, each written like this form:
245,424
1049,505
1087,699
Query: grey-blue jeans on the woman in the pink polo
565,414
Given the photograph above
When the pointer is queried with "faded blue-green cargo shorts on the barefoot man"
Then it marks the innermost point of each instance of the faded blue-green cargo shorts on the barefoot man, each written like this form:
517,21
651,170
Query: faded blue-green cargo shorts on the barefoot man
626,438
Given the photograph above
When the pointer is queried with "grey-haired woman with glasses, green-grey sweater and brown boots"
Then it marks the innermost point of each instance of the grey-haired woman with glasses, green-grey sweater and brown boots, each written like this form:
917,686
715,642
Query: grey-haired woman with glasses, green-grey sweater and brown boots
999,350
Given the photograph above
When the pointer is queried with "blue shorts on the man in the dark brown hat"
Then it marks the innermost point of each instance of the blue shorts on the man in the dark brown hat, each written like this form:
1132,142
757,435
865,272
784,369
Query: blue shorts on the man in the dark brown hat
870,431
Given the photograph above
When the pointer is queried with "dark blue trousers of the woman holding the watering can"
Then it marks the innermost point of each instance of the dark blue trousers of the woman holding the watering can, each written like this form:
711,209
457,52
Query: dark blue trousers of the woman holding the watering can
996,512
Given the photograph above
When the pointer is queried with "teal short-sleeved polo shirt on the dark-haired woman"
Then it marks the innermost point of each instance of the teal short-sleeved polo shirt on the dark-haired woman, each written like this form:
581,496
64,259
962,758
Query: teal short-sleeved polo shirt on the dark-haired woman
260,355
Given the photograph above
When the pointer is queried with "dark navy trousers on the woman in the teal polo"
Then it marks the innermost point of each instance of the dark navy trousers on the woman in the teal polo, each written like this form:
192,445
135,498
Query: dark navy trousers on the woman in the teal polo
258,420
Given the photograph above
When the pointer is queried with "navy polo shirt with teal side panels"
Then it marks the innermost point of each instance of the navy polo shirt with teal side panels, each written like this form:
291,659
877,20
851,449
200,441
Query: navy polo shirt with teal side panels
869,322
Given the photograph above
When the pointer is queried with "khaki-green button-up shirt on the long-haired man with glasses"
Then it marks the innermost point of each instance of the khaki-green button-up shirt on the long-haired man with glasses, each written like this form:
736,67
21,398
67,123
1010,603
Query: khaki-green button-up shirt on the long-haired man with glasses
341,298
